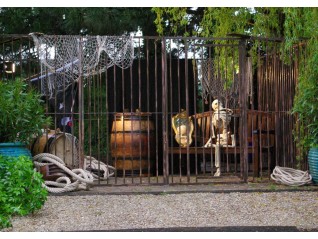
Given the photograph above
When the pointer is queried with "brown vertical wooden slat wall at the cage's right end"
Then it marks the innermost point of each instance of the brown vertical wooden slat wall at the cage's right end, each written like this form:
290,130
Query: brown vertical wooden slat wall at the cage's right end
276,87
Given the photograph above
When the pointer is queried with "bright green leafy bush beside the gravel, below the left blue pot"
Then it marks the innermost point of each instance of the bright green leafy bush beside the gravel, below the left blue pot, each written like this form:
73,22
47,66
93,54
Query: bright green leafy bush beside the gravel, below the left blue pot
21,191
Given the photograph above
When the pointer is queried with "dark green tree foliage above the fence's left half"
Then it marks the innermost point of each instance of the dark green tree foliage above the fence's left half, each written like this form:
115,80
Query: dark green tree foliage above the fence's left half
75,21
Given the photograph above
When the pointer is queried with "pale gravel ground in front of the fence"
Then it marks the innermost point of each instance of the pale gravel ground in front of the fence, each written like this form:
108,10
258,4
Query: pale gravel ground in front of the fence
127,212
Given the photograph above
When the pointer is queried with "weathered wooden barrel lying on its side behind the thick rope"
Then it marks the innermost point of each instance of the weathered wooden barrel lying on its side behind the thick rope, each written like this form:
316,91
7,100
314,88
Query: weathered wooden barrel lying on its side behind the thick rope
61,144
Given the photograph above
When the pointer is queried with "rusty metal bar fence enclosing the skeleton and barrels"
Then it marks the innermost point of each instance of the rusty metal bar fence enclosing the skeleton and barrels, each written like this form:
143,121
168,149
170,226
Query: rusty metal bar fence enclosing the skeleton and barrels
154,121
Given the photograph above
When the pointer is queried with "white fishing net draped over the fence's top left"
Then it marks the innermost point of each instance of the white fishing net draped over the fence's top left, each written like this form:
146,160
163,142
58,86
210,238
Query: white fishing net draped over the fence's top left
65,58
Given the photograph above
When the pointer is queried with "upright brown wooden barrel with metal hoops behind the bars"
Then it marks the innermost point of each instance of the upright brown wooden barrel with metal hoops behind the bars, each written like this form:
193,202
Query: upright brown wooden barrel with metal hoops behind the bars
132,143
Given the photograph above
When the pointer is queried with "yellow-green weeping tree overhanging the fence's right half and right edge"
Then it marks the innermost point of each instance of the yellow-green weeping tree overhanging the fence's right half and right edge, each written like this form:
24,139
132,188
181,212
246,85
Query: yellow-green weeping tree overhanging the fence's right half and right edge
293,24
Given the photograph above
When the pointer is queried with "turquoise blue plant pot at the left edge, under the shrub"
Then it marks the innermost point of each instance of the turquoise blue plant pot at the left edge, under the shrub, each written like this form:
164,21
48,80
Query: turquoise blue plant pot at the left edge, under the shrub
14,149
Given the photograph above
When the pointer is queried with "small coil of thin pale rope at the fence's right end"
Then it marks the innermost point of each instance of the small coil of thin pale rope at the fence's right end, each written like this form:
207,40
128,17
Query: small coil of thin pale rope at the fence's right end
291,177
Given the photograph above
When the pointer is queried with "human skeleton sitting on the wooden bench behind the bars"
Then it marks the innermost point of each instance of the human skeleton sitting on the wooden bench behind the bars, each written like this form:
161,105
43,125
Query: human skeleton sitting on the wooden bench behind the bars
221,118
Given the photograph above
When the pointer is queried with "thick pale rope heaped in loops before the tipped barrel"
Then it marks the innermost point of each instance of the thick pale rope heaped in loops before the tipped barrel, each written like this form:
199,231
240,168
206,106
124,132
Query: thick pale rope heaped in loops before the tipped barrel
81,178
